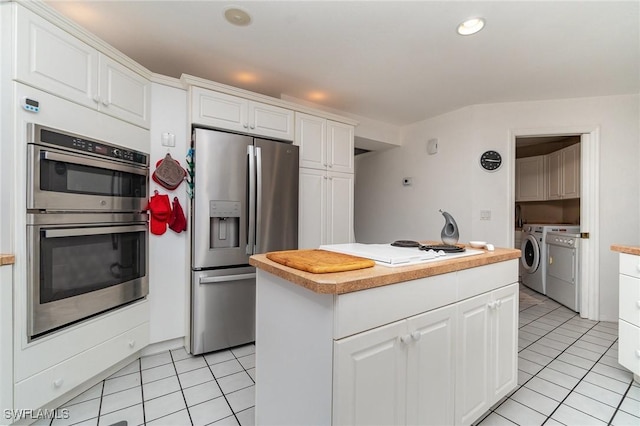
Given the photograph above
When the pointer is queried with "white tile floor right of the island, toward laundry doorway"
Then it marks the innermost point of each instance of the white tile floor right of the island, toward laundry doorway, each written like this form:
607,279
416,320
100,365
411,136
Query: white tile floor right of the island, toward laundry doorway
568,371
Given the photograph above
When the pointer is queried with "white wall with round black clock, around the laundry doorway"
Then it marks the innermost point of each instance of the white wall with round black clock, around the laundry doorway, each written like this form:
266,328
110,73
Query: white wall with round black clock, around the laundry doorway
452,179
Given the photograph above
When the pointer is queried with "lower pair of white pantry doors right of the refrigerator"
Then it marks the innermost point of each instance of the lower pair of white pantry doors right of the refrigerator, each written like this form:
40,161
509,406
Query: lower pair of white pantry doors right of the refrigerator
325,213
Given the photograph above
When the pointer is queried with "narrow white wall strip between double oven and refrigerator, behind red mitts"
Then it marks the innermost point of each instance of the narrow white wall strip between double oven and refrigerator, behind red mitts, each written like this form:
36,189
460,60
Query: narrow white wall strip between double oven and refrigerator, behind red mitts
168,253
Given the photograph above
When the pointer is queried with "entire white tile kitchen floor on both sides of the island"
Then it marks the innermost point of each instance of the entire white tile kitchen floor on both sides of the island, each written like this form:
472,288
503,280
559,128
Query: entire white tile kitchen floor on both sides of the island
567,374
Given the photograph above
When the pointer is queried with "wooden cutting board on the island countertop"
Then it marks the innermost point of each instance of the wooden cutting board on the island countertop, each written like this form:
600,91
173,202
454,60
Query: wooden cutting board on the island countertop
319,261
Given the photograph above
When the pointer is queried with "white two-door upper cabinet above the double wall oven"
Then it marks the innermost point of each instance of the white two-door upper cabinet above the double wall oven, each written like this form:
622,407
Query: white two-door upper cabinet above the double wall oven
55,61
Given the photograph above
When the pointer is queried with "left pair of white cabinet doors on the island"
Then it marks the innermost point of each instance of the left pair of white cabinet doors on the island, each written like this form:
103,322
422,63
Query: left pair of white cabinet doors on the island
397,374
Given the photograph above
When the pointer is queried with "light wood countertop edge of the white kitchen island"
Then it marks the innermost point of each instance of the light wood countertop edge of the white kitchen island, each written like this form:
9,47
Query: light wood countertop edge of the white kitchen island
377,276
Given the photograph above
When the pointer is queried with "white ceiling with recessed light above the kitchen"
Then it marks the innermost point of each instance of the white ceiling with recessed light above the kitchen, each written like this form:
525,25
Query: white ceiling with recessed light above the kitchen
392,61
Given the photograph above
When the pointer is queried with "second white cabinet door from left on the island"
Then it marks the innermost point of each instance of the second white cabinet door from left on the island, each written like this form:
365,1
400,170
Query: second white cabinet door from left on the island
431,369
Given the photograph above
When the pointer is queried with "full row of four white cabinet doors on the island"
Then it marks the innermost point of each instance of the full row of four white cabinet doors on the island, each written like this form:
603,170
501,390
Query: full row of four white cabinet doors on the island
443,367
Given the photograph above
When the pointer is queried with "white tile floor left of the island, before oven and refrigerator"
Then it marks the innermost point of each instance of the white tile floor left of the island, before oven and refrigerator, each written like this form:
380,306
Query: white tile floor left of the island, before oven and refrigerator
172,388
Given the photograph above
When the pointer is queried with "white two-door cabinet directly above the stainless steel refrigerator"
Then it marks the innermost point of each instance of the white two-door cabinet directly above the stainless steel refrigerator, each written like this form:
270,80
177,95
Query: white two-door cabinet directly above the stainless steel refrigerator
229,112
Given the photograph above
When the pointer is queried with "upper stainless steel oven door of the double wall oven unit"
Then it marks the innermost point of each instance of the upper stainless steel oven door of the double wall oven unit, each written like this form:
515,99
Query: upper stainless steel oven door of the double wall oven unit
63,181
